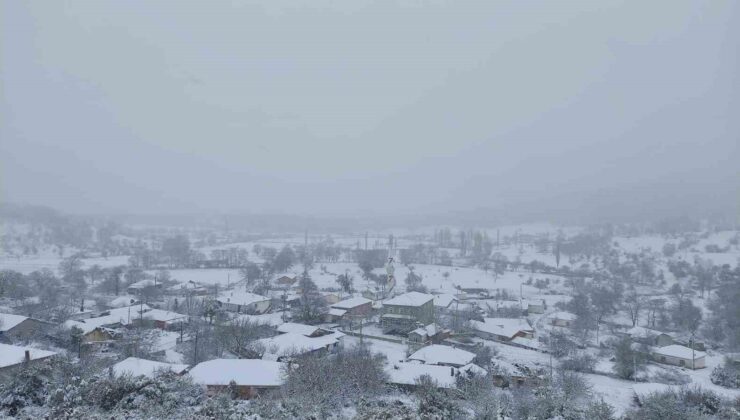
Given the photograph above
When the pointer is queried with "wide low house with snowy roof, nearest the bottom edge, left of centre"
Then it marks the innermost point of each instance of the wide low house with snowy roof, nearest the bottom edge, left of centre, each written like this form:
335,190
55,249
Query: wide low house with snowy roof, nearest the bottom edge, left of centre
251,377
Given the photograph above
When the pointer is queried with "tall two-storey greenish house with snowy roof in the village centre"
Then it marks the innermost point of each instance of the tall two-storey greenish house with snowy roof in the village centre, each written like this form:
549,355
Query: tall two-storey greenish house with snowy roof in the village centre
406,312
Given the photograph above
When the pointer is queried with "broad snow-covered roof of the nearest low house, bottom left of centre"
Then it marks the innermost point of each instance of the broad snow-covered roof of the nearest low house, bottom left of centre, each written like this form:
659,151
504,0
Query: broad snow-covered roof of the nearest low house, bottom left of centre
251,372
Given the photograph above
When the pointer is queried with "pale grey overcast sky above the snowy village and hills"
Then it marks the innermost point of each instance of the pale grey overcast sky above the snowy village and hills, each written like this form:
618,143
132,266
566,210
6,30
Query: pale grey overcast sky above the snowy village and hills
316,107
